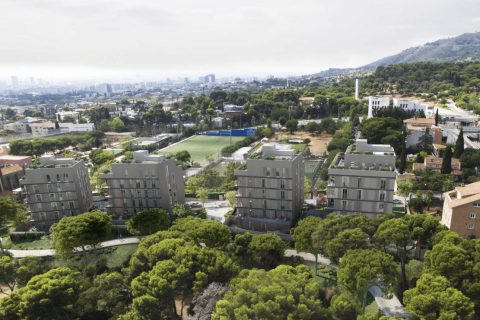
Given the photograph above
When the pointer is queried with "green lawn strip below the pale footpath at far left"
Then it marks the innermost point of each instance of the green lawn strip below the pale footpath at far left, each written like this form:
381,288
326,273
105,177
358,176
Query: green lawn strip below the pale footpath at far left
116,257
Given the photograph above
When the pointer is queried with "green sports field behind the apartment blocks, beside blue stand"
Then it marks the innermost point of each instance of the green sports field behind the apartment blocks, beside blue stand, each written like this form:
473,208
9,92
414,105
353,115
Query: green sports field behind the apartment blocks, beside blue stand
201,146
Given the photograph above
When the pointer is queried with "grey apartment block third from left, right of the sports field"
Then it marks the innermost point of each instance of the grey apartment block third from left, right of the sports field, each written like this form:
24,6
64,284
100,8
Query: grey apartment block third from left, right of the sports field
270,189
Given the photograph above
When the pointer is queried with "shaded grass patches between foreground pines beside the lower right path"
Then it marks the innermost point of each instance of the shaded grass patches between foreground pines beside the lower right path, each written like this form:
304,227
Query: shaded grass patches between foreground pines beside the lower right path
327,278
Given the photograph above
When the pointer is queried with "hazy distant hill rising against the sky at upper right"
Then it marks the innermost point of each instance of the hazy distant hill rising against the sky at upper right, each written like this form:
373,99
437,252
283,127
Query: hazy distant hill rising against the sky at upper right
452,49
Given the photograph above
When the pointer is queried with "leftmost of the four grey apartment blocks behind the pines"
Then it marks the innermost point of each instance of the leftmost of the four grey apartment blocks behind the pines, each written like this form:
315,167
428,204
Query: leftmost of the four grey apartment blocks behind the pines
59,187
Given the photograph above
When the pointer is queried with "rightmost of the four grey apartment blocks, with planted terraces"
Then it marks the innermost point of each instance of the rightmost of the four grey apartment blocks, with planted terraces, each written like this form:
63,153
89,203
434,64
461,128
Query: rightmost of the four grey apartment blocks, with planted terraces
362,180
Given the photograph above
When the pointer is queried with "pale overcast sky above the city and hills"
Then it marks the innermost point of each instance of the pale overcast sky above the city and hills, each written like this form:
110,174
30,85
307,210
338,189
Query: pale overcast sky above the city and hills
50,38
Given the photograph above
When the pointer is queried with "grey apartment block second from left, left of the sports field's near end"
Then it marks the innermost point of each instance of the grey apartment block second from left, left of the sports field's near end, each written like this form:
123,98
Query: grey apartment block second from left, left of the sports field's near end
149,181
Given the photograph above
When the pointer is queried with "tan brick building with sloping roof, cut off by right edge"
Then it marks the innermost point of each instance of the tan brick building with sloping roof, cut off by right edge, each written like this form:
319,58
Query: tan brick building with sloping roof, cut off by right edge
461,209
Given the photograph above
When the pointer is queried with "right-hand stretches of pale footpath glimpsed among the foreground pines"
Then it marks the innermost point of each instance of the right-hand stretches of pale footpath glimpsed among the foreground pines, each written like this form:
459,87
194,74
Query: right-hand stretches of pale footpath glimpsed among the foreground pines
390,307
